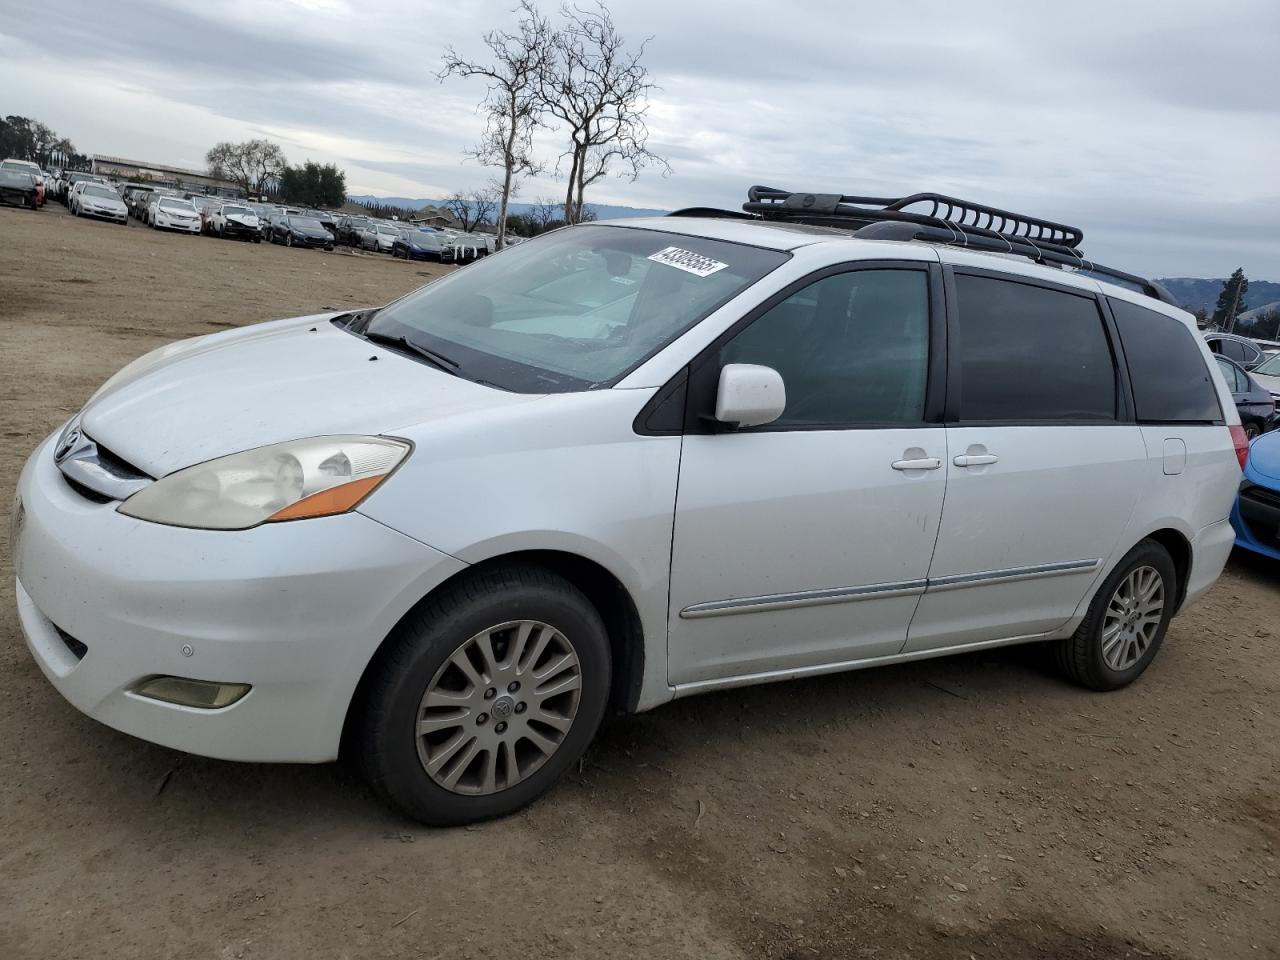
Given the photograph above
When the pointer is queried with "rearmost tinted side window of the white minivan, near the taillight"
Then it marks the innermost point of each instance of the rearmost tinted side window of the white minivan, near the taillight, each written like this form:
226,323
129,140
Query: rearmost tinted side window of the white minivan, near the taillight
1171,380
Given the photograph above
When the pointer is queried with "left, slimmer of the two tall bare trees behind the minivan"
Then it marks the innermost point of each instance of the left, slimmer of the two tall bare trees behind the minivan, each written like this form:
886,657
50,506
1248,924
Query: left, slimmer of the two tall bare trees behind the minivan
513,104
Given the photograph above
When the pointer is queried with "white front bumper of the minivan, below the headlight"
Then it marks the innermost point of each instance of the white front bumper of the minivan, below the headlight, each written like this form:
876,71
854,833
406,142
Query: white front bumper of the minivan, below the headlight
295,610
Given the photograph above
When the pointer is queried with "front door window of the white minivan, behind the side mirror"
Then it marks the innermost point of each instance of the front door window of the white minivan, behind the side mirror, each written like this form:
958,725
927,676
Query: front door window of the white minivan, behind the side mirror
853,350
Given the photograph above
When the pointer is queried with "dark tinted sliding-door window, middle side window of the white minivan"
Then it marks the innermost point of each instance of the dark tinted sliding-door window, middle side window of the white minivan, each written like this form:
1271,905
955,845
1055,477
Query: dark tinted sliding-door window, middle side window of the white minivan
1030,354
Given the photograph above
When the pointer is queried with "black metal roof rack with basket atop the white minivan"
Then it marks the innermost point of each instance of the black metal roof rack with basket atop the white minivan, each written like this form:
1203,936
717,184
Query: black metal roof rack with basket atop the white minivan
938,220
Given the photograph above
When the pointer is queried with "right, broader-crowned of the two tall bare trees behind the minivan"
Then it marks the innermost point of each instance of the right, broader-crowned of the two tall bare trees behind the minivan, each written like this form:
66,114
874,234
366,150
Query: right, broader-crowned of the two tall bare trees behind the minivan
601,93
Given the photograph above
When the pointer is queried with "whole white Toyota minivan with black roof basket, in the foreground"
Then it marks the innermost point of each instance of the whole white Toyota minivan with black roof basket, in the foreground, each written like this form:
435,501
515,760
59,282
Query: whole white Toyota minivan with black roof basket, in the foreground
621,464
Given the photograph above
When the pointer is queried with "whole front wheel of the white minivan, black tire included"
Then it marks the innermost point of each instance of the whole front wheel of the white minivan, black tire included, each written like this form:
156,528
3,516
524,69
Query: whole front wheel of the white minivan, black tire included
484,696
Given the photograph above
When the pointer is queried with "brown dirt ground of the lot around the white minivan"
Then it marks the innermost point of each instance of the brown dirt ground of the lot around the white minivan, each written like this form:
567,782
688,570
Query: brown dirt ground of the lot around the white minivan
962,808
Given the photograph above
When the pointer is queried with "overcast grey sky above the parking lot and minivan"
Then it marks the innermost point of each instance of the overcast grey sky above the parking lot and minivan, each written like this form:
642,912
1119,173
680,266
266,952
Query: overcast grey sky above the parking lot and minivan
1154,126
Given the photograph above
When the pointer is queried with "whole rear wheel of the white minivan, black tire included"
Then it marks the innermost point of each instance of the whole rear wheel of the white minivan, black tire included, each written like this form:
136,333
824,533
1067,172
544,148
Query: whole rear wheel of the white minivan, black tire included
1126,624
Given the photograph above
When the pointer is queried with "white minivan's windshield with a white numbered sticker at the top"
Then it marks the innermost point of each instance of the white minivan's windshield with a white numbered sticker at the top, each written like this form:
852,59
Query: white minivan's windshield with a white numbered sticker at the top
574,309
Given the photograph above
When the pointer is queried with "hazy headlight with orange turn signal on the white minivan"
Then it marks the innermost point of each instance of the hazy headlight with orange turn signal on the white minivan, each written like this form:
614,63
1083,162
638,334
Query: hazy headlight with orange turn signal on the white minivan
295,481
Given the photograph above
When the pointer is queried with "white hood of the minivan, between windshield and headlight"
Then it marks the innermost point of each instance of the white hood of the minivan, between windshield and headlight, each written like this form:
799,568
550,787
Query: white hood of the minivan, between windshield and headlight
271,383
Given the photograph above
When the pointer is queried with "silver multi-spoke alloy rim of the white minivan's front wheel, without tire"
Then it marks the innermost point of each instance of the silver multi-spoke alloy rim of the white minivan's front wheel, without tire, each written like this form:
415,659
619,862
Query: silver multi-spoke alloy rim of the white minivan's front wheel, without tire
499,708
